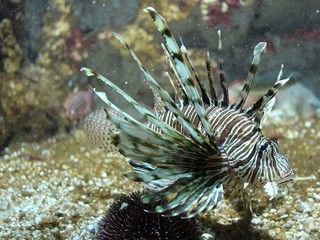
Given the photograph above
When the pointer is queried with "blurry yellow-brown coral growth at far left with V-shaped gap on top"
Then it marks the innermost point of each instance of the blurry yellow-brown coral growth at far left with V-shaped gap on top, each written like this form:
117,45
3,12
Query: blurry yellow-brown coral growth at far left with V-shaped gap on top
32,95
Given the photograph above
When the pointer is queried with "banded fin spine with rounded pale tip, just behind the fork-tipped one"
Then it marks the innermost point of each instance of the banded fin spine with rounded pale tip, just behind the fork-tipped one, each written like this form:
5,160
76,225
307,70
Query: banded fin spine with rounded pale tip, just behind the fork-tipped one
258,52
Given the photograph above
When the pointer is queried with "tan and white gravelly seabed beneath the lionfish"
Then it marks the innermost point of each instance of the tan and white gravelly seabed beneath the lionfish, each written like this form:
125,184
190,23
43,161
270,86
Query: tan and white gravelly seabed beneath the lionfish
60,188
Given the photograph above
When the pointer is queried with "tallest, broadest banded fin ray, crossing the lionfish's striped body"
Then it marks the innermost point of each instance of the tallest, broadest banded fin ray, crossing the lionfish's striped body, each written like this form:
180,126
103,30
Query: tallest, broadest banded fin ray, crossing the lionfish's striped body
183,71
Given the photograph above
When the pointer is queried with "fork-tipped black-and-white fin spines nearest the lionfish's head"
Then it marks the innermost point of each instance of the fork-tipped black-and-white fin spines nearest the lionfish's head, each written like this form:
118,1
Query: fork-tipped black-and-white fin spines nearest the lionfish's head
265,103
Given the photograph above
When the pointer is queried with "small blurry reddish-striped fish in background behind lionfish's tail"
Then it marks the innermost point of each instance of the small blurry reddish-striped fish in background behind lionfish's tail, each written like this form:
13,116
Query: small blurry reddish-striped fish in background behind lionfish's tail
77,105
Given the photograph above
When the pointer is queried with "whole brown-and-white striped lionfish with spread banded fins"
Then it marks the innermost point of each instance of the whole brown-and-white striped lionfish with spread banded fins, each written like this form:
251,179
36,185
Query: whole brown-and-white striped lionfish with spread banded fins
198,144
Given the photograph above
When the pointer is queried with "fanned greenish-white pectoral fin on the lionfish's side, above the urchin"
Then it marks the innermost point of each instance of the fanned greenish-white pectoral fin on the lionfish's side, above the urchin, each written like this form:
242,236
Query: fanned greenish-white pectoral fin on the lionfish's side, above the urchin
169,161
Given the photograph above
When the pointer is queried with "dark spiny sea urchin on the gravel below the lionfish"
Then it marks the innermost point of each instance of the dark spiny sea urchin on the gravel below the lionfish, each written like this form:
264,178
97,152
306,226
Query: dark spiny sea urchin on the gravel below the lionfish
126,219
